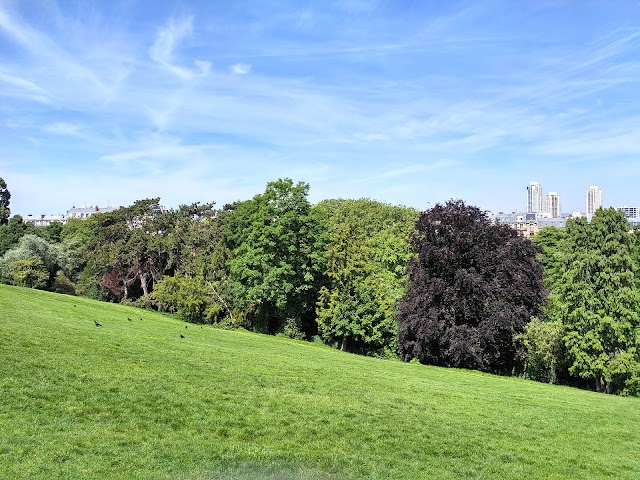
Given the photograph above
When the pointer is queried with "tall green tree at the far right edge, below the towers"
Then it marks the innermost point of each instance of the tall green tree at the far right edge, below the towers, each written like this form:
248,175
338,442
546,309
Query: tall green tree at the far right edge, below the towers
600,301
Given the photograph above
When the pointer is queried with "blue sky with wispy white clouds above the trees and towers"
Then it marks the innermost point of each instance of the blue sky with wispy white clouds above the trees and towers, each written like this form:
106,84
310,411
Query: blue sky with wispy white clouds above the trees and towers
407,102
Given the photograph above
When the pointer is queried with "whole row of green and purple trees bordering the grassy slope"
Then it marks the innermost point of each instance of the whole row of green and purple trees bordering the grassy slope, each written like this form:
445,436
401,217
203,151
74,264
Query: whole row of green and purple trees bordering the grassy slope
447,286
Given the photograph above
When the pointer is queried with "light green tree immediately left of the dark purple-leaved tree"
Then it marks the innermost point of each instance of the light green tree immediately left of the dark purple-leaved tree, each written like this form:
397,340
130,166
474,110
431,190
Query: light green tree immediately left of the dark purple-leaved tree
366,258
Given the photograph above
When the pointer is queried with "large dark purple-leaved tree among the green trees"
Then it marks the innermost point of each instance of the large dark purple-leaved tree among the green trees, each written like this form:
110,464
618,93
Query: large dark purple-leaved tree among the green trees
473,286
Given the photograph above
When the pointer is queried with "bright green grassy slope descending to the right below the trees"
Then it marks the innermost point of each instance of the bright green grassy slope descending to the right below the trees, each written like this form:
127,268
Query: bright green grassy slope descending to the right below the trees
134,400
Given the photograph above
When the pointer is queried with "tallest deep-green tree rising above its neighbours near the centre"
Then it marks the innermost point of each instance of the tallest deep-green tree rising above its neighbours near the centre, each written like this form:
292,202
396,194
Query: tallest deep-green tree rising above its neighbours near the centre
275,247
